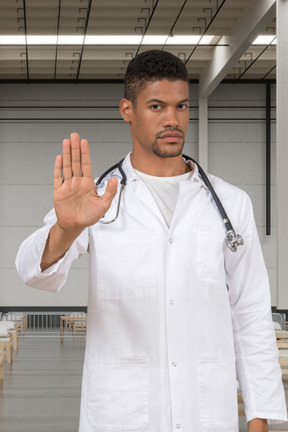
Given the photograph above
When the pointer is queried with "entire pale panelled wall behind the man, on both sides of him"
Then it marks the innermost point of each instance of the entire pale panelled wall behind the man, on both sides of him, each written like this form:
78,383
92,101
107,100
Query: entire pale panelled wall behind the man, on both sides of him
31,136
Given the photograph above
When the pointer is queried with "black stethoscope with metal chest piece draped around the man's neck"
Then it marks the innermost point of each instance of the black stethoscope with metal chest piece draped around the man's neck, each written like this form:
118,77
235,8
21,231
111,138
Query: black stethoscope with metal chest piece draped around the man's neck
232,239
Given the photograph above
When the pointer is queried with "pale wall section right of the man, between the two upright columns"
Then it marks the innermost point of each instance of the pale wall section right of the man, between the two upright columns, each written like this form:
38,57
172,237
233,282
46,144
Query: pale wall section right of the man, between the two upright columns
237,153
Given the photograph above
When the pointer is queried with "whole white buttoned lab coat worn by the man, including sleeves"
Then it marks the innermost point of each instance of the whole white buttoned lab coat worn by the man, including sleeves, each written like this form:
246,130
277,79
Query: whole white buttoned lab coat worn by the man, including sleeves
174,317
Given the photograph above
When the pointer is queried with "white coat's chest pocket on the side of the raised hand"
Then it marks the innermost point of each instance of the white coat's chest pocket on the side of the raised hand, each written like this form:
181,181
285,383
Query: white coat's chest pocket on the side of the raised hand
126,265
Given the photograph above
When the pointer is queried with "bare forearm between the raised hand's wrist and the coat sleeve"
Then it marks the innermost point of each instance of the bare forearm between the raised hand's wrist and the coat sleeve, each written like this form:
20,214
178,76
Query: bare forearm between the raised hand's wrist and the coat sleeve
58,242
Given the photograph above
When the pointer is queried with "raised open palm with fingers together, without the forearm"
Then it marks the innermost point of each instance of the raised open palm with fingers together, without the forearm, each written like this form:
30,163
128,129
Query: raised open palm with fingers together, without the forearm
76,202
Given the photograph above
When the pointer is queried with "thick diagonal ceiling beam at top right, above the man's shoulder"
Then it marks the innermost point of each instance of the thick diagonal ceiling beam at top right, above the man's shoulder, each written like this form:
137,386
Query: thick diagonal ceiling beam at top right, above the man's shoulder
259,14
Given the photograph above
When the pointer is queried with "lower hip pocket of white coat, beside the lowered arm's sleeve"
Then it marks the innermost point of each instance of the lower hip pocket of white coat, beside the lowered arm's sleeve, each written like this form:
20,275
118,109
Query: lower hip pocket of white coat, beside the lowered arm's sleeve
217,387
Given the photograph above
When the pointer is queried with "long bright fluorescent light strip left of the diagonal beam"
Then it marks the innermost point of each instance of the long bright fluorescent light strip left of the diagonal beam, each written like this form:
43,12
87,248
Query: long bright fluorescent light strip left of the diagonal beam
103,40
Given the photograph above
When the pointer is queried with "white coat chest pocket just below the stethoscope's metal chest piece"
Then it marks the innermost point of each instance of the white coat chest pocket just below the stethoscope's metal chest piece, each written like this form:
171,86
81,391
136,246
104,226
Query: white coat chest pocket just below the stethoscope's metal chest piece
209,255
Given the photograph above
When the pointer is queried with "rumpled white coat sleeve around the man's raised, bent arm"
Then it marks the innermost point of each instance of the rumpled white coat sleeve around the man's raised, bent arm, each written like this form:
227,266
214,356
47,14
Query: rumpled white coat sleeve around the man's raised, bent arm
30,253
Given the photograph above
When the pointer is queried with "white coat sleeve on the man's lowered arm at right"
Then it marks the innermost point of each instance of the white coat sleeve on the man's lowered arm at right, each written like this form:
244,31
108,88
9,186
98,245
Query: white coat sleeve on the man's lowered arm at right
258,370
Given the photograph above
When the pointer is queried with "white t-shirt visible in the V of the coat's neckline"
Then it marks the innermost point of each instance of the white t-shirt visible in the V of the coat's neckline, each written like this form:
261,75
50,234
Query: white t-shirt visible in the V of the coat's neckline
165,191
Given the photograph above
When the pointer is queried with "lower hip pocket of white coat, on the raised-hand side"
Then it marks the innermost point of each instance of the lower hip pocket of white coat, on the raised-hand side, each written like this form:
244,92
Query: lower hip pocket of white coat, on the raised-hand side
119,395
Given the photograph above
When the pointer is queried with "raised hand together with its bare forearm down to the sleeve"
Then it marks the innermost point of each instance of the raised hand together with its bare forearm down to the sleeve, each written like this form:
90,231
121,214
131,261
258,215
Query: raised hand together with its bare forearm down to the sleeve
76,202
